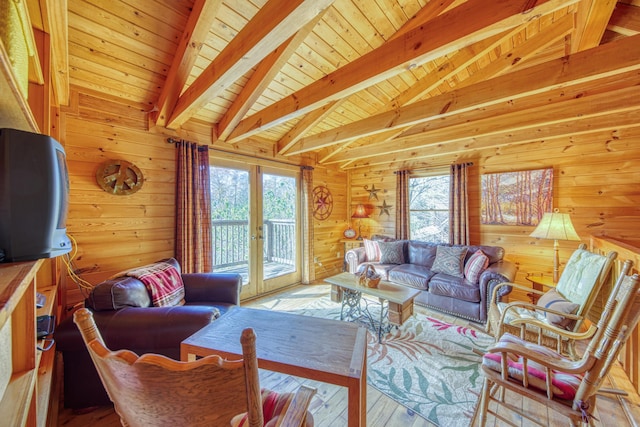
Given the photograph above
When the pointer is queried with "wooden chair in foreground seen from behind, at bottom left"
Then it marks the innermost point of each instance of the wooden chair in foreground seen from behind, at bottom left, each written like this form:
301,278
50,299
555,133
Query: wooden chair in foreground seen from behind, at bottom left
153,390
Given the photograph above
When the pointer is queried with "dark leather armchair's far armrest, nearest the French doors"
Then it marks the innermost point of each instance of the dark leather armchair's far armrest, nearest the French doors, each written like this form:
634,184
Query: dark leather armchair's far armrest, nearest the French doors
212,287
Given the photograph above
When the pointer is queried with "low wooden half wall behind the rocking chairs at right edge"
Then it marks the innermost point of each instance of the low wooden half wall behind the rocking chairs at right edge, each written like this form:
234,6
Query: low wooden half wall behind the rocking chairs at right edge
630,356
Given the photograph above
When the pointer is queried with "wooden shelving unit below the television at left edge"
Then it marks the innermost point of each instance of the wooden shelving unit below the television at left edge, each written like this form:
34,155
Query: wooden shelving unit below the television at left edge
26,390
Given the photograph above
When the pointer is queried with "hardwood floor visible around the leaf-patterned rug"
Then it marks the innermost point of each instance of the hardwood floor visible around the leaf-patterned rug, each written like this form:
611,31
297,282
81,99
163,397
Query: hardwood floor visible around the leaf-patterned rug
329,405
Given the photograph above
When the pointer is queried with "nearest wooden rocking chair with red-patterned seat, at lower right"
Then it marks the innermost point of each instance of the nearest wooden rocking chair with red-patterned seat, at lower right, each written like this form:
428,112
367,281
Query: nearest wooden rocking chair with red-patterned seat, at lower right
565,385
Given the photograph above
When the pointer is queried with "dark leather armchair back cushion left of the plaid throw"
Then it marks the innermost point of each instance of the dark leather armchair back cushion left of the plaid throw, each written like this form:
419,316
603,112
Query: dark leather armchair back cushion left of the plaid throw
114,294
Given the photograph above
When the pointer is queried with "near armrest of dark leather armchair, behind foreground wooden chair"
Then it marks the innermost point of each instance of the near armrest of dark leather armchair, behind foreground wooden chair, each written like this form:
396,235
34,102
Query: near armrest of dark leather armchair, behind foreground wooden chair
139,328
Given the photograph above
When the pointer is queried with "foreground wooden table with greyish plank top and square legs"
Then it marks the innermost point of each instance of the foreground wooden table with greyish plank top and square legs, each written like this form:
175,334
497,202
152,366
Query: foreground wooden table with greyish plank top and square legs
319,349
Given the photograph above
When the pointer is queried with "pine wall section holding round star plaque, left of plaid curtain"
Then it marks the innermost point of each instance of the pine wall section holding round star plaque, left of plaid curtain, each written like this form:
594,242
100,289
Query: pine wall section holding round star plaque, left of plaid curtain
112,232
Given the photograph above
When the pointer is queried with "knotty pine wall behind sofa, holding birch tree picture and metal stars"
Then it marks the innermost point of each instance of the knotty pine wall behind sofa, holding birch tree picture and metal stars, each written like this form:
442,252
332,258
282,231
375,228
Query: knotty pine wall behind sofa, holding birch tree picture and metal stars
595,180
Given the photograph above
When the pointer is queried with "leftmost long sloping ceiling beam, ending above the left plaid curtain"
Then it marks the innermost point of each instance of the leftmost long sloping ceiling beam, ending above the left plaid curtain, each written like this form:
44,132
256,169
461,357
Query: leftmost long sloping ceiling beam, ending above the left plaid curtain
194,35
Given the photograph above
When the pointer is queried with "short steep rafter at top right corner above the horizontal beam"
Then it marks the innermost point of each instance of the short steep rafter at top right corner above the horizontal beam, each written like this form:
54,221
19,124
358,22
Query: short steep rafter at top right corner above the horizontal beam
592,17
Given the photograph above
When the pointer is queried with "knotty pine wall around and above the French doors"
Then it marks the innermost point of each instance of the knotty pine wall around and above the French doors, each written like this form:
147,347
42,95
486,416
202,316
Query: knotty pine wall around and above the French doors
114,233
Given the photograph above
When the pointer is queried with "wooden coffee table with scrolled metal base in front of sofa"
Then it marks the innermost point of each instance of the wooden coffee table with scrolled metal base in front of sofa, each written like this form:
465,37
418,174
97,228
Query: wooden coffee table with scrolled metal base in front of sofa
396,301
